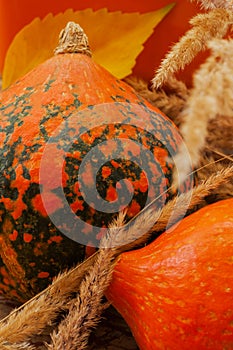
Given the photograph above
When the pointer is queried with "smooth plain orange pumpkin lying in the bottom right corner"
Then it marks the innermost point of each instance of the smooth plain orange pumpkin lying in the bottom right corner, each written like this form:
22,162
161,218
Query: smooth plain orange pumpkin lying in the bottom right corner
176,292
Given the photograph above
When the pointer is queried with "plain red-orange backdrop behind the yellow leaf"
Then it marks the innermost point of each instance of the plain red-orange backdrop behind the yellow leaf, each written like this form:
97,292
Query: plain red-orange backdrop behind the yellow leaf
14,15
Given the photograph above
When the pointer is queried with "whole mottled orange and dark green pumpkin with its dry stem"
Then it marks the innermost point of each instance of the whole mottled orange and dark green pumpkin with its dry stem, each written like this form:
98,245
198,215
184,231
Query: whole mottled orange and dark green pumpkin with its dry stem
50,120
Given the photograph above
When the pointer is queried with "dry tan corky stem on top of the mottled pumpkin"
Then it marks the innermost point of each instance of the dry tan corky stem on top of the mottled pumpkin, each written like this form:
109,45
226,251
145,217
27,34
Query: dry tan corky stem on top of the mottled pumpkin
72,39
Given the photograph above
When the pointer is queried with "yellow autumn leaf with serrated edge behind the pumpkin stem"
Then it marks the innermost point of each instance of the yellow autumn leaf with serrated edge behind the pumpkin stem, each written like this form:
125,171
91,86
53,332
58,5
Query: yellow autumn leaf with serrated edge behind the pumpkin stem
116,39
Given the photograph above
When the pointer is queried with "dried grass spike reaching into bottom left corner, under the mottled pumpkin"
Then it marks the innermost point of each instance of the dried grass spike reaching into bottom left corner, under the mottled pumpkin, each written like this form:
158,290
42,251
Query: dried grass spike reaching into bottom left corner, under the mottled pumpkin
32,317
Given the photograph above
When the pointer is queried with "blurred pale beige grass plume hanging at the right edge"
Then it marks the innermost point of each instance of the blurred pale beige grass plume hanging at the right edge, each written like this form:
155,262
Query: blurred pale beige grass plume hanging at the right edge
210,97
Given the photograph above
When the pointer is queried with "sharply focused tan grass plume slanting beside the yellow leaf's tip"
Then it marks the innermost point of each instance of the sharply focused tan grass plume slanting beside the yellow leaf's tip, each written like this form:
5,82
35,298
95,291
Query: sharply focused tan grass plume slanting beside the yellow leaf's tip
214,24
